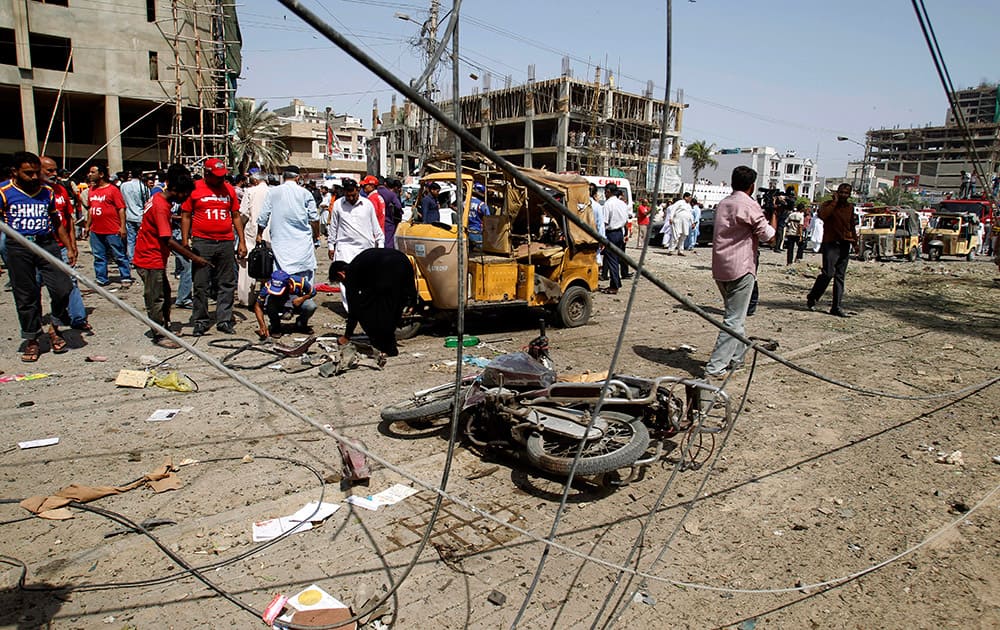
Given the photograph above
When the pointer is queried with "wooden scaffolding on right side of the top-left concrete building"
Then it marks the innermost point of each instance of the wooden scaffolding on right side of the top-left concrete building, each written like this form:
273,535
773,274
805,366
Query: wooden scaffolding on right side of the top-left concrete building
205,40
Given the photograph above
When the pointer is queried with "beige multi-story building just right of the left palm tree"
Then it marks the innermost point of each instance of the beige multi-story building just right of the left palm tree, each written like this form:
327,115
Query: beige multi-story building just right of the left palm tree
303,131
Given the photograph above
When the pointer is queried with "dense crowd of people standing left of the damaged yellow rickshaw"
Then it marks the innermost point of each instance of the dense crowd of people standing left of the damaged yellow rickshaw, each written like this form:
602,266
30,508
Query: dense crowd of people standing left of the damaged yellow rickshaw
206,222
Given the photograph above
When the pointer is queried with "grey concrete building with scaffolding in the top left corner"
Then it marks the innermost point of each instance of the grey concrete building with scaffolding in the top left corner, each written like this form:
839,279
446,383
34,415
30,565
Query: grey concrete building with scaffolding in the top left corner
137,85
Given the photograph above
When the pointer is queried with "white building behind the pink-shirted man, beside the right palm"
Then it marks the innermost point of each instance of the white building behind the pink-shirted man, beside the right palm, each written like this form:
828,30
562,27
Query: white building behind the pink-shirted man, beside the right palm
774,170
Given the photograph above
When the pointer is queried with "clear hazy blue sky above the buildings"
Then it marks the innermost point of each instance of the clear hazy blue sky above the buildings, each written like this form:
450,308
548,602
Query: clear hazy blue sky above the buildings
791,74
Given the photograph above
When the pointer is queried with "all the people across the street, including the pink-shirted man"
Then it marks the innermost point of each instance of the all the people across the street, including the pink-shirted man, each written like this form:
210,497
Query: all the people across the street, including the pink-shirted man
208,222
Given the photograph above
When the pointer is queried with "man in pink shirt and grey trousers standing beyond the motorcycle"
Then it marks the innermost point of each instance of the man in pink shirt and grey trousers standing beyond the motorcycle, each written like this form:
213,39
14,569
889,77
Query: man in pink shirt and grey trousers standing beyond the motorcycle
739,226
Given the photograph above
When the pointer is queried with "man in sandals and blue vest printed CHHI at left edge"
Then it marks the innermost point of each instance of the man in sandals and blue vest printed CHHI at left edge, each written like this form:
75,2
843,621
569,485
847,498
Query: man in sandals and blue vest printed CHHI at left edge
27,206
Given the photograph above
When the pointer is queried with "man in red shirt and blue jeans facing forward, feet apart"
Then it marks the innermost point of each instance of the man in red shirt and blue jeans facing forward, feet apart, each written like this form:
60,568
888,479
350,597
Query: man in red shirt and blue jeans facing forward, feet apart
106,225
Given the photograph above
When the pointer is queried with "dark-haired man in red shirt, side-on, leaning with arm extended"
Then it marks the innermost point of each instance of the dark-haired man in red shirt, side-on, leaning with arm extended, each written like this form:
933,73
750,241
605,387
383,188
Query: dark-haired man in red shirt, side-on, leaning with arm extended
153,245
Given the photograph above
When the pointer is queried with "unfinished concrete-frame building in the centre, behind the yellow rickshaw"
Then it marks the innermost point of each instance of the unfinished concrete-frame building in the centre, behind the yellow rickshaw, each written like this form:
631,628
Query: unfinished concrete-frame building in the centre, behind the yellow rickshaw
562,124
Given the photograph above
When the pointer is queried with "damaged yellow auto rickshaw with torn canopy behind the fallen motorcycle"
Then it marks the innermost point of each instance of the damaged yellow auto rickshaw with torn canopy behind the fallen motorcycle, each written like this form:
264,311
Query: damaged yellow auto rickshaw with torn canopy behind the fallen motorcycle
531,256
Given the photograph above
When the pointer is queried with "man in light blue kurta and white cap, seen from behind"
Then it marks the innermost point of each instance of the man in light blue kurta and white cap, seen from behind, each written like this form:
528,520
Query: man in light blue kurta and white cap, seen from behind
290,213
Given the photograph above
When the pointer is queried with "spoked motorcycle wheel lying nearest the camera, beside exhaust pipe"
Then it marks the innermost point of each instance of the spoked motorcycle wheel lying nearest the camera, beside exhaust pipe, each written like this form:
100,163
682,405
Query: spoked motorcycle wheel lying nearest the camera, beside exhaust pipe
625,440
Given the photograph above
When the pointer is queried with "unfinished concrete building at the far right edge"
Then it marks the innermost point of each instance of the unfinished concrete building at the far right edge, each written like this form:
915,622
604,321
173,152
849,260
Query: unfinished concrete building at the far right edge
931,158
